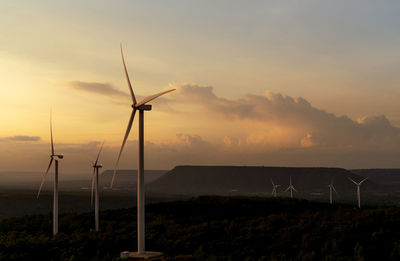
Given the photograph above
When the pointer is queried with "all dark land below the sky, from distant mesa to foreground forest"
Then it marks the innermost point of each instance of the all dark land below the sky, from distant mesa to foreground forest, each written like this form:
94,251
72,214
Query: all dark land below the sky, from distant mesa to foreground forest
247,225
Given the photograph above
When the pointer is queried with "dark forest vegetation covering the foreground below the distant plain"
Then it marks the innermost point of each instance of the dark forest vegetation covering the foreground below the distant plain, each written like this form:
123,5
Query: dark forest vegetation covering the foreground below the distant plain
214,228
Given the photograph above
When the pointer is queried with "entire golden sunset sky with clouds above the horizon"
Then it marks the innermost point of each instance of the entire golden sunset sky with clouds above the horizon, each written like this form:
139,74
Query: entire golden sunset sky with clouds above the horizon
265,83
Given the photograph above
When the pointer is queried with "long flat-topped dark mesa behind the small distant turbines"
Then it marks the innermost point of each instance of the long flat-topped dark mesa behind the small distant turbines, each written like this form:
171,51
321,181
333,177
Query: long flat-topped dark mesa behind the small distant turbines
224,180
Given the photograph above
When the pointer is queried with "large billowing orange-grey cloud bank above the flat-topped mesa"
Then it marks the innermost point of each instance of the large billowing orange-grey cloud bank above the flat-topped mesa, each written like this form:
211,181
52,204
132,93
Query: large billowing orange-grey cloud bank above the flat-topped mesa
276,120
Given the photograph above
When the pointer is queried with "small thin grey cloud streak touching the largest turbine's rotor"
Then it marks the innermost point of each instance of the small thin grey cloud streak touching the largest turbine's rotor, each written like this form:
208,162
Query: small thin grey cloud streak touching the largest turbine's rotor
98,88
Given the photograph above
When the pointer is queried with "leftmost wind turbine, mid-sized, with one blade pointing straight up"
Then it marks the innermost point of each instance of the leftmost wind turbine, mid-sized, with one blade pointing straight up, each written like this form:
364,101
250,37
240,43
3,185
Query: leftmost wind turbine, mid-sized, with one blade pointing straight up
56,158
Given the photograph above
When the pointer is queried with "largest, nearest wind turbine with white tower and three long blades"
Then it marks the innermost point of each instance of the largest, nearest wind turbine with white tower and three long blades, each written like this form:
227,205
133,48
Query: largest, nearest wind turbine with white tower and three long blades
141,107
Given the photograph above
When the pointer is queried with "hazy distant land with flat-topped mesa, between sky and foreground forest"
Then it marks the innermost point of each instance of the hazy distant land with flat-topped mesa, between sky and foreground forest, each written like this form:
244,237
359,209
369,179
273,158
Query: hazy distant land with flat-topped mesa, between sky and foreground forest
17,191
